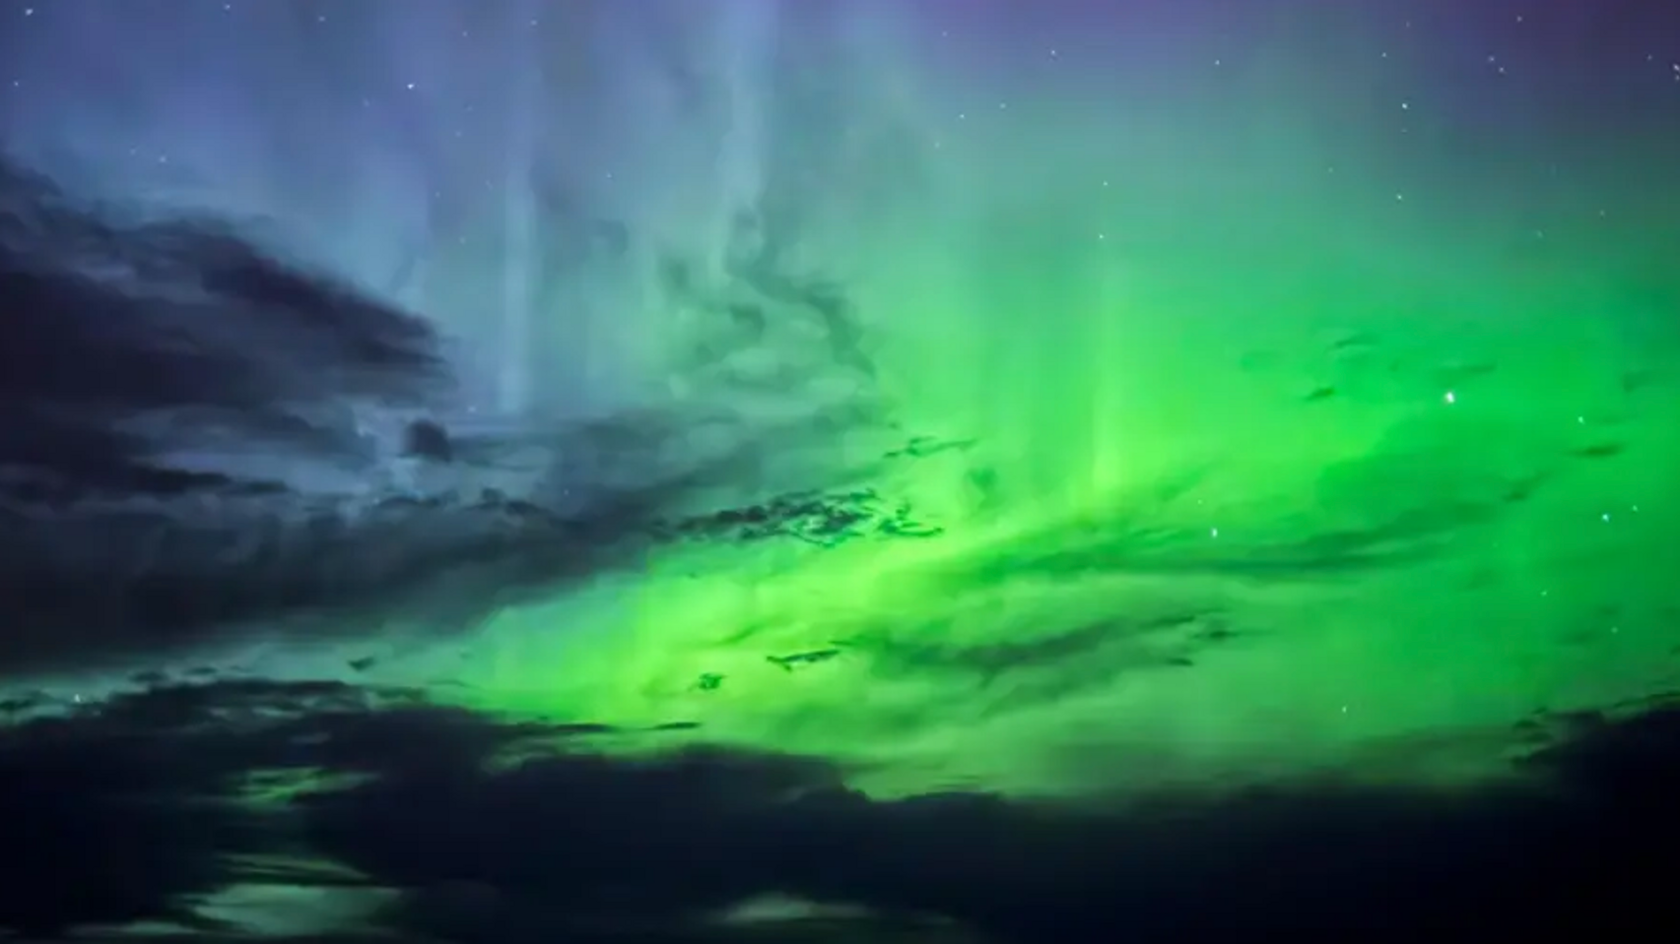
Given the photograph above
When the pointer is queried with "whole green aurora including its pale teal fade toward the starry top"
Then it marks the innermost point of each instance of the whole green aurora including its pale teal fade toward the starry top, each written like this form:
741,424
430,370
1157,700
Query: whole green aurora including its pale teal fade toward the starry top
1232,436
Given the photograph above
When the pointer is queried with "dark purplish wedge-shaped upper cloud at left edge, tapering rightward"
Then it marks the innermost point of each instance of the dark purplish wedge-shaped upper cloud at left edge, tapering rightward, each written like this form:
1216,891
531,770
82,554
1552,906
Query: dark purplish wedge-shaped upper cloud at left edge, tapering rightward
113,322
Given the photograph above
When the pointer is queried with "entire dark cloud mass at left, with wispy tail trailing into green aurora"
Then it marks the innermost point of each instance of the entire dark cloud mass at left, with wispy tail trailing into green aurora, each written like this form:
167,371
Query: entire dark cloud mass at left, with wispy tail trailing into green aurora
191,444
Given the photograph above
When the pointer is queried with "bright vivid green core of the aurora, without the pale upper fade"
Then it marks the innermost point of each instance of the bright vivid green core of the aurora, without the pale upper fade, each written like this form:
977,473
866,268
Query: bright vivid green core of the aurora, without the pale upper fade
1173,449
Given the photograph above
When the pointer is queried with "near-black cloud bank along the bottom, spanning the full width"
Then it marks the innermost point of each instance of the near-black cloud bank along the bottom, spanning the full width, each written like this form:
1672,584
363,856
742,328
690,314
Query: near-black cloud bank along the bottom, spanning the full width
527,832
